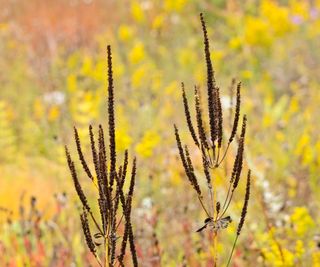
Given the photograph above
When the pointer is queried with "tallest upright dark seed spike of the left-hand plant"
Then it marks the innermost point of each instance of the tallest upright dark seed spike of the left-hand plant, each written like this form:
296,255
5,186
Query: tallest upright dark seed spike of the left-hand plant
111,120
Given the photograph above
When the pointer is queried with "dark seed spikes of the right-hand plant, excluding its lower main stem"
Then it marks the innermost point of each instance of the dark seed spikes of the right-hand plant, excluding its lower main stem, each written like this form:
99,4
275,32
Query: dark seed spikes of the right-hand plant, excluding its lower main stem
211,144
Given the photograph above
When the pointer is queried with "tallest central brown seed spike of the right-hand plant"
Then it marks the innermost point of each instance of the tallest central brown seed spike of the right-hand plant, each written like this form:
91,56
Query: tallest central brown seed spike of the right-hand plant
210,83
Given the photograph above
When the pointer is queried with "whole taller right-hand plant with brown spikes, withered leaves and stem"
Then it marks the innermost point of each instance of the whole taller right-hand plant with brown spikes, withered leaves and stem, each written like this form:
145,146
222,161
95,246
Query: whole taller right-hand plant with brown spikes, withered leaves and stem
208,137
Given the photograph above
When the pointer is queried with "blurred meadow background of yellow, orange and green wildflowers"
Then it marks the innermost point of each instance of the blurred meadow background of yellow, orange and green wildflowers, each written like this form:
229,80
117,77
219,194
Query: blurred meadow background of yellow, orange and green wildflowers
53,77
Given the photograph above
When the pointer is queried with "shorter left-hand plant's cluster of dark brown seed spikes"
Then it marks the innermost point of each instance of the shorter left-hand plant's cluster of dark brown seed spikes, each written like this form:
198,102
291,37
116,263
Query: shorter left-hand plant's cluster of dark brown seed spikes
109,183
